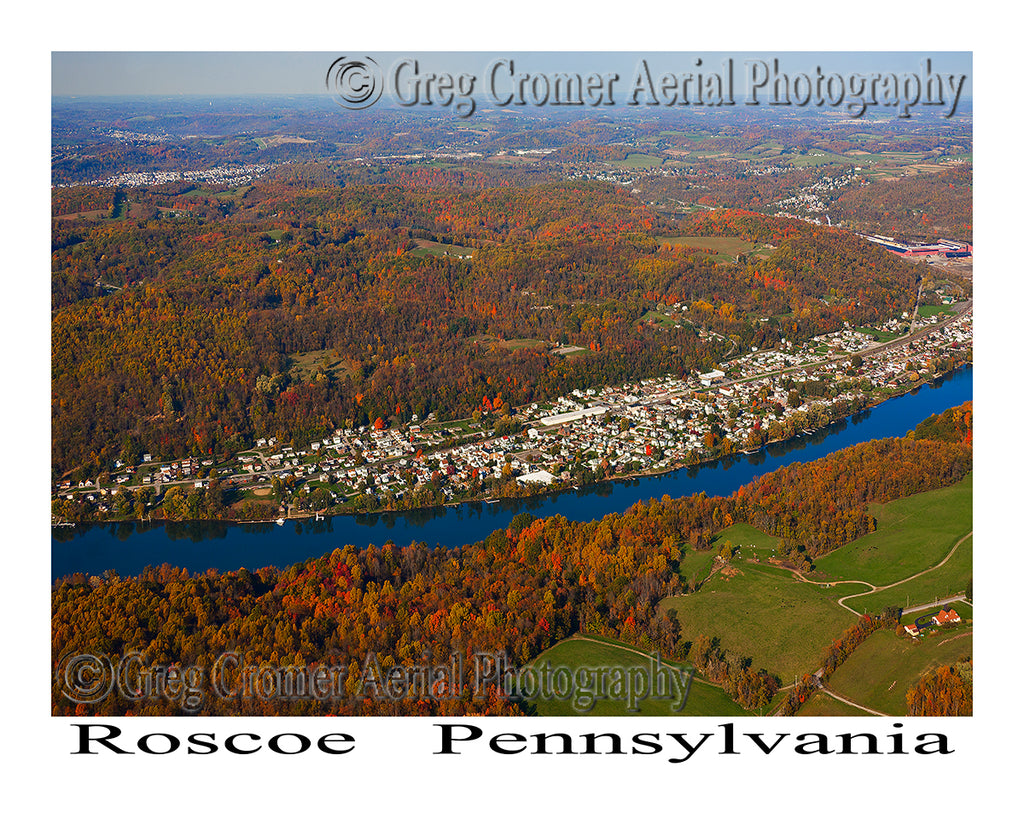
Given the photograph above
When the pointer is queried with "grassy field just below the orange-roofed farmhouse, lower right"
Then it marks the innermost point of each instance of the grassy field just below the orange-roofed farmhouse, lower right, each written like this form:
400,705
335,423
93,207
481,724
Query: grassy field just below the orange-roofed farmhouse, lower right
886,666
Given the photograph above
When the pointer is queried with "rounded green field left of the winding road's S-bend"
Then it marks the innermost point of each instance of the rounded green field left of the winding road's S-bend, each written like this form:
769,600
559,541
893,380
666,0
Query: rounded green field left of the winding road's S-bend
763,613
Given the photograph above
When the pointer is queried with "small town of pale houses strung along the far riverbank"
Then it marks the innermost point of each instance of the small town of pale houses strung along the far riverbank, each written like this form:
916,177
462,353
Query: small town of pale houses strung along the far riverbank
647,427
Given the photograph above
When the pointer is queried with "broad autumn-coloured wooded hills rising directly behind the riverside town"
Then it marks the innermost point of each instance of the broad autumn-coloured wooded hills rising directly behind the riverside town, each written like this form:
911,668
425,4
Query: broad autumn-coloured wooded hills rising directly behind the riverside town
223,293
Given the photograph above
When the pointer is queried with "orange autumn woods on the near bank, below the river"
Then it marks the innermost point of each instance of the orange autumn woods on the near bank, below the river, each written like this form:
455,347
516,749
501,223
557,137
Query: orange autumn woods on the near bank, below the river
520,592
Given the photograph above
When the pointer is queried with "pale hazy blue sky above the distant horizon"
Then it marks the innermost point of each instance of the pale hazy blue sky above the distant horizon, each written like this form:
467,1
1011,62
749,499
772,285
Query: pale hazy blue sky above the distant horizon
82,73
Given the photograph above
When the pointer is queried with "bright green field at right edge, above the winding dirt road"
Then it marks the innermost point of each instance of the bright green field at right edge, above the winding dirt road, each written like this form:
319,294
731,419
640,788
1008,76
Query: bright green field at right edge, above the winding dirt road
914,534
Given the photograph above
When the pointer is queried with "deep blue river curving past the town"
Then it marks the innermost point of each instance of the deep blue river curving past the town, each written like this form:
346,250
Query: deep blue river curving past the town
129,548
